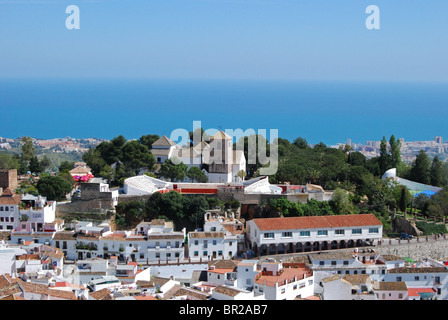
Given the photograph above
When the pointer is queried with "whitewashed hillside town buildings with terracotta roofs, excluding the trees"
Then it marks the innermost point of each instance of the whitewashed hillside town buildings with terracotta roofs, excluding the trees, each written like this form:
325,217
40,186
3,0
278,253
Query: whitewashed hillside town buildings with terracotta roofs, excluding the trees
52,249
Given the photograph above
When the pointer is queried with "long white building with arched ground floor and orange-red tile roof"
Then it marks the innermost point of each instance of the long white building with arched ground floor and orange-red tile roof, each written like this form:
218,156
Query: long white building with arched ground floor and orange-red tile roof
298,234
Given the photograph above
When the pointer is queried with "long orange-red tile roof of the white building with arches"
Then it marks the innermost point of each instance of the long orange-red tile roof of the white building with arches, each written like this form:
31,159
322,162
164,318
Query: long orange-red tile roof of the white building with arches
334,221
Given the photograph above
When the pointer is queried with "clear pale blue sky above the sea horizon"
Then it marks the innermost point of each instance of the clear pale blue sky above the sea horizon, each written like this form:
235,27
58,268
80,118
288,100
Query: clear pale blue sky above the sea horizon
225,39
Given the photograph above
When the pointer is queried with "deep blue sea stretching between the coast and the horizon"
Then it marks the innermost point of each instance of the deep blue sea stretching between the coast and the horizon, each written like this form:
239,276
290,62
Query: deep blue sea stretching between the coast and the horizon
319,111
